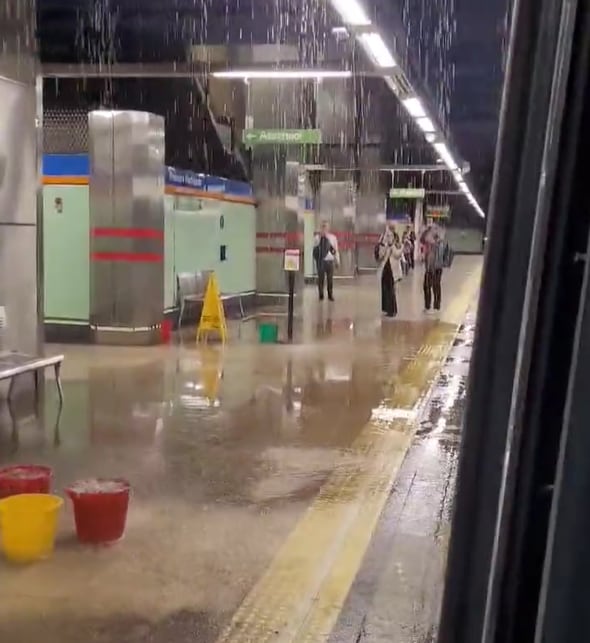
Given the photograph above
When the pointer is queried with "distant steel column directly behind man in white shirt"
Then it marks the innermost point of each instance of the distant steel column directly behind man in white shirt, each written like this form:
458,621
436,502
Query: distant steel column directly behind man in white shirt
337,206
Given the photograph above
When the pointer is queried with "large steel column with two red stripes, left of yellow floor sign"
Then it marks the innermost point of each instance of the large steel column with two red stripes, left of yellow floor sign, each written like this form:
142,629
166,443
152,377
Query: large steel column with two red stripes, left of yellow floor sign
126,226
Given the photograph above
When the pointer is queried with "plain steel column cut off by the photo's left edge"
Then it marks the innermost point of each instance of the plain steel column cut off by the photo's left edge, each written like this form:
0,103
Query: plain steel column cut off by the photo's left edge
20,261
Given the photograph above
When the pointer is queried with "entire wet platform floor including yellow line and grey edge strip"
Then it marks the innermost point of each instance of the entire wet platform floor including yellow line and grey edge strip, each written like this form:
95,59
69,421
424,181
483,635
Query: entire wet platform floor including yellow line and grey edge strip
278,490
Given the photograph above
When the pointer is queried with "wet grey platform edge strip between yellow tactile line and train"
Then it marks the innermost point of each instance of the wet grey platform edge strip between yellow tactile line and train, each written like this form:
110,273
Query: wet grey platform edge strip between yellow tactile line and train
397,594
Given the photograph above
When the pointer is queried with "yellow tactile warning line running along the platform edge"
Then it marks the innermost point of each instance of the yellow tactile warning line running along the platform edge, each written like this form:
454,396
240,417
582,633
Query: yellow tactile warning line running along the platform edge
300,596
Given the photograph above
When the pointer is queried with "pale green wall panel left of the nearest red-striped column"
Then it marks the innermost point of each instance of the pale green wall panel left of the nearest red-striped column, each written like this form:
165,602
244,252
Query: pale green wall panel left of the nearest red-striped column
66,248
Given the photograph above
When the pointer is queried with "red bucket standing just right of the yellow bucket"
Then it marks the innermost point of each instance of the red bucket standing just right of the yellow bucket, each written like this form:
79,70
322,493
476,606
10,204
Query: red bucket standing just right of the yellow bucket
100,509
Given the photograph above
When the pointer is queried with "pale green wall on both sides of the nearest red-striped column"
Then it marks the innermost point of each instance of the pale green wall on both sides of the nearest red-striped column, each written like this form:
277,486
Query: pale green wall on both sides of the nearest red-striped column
193,236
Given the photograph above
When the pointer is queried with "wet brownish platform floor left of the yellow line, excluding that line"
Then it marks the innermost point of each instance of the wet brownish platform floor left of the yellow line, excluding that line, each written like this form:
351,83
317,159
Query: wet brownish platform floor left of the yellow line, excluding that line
226,448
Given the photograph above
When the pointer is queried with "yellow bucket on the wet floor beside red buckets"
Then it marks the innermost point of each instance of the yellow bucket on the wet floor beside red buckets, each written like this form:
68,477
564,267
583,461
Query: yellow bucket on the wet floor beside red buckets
28,524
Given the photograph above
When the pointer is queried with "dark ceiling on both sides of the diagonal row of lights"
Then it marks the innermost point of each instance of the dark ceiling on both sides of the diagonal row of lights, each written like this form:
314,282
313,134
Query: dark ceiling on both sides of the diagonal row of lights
454,47
